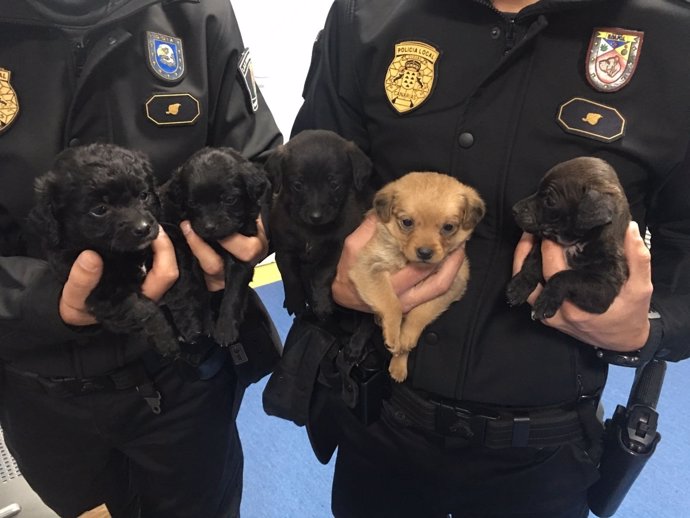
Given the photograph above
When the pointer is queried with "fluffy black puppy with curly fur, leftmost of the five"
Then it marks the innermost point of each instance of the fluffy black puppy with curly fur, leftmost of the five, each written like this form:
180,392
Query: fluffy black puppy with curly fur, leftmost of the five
101,197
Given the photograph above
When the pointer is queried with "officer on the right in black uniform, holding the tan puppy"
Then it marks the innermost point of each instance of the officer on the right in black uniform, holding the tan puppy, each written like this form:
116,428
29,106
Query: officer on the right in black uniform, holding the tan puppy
497,417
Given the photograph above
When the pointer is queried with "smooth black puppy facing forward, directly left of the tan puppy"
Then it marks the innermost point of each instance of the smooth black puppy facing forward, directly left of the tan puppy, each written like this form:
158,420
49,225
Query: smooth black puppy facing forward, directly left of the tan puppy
320,196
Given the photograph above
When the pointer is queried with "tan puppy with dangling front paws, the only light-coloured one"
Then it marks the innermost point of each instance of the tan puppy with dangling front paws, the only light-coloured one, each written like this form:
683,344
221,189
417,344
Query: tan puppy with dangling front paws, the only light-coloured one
421,218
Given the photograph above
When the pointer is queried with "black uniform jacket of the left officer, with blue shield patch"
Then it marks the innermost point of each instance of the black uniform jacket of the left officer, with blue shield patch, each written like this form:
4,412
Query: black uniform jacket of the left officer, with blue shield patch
164,77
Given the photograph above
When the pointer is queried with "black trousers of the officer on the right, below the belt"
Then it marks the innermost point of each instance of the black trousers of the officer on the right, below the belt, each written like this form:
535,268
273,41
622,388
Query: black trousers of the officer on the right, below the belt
386,470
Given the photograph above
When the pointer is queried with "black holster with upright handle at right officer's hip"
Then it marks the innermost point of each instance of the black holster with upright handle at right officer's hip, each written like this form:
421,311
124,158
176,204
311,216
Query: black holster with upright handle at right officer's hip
630,439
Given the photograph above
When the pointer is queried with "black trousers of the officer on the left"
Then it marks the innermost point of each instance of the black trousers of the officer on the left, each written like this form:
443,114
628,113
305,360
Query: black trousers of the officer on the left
79,452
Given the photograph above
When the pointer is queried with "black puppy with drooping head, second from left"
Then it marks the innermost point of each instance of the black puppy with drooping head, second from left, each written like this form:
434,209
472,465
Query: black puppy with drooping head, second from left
220,193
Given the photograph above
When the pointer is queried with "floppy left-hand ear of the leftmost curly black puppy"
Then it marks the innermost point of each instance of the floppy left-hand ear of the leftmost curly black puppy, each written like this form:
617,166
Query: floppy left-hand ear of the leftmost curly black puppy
42,219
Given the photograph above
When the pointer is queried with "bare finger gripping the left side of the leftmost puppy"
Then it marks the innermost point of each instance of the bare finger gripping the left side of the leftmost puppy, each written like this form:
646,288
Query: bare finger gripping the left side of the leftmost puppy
84,276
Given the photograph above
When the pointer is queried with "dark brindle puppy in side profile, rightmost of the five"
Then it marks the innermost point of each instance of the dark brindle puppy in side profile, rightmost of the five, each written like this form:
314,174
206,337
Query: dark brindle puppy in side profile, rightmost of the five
581,205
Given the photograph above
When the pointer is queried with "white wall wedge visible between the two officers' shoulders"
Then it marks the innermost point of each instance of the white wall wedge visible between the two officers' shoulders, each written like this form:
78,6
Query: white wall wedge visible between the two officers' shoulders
280,34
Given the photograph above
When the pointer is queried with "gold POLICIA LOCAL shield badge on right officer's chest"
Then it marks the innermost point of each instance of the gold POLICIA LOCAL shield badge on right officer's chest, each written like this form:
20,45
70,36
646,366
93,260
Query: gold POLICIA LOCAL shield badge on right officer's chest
410,76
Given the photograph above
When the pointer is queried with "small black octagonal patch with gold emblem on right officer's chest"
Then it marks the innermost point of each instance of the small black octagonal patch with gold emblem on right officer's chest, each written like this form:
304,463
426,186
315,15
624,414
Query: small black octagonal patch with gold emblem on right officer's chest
592,120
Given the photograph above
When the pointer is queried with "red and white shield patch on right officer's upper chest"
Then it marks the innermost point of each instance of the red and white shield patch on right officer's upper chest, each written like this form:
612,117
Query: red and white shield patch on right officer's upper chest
612,58
